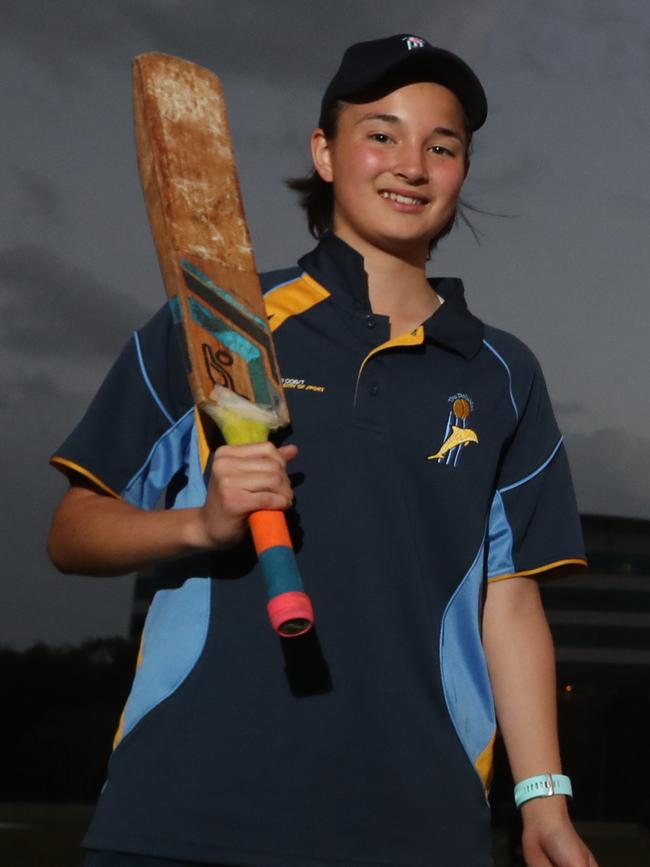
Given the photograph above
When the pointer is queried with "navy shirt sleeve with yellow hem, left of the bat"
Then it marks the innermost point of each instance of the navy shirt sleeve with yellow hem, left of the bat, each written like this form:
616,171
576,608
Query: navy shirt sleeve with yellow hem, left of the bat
138,407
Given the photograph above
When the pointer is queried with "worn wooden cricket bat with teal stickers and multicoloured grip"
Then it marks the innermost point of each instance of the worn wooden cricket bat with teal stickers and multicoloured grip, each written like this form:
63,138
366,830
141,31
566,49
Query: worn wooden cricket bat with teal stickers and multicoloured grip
190,185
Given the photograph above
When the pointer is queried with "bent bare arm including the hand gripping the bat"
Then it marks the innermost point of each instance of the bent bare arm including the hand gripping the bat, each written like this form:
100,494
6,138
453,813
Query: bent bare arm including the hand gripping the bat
96,534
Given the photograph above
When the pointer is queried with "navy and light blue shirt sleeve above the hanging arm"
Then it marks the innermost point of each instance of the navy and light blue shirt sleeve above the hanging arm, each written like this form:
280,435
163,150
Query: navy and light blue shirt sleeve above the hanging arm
534,525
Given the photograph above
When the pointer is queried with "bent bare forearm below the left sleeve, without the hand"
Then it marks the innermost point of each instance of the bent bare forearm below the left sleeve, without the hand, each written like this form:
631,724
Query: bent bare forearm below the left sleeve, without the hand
93,534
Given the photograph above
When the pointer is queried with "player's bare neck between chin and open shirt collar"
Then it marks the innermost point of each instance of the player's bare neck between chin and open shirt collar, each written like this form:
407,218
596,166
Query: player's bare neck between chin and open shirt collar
397,286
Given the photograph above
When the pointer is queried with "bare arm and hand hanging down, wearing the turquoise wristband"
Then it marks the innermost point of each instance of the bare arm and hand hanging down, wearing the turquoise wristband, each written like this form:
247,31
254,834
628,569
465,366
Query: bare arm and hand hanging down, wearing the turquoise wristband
521,663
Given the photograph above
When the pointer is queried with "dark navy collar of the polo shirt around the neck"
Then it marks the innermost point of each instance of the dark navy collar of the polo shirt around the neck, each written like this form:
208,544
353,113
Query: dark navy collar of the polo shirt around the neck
340,269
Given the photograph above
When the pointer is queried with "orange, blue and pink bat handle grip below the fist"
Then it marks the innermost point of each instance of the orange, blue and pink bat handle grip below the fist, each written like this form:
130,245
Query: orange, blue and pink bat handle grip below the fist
290,609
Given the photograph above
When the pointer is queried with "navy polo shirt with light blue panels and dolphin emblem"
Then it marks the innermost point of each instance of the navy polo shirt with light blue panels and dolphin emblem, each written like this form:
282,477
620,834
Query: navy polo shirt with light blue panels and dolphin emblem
429,464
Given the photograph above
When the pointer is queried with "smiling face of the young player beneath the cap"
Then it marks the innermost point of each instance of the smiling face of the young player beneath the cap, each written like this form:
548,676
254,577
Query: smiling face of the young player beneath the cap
397,166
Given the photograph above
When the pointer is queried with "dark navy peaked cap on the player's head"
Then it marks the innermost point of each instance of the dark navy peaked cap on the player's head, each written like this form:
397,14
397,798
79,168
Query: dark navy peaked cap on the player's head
371,69
